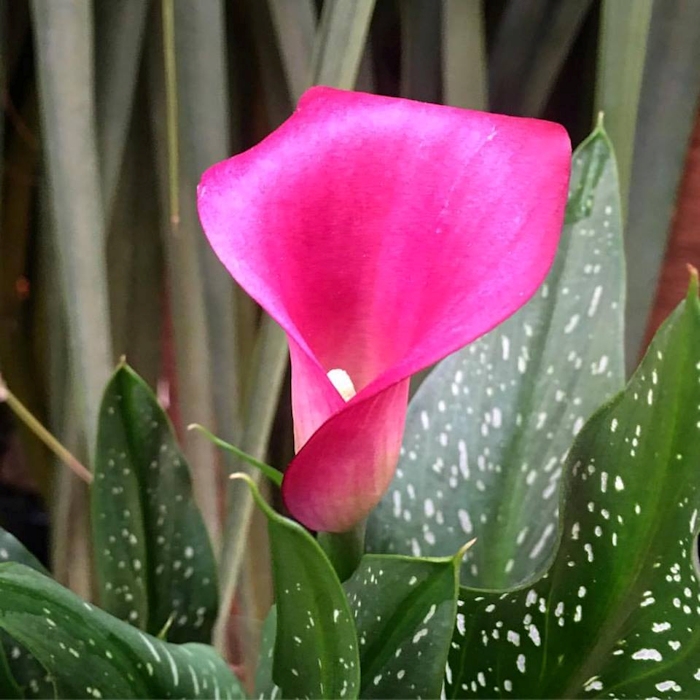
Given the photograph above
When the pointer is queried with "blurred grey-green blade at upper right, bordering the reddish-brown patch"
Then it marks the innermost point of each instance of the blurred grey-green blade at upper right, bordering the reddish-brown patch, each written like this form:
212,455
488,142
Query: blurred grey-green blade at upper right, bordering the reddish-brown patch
671,77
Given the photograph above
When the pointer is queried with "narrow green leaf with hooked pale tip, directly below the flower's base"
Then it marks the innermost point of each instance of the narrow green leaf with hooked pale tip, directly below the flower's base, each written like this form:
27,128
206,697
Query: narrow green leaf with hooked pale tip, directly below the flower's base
316,650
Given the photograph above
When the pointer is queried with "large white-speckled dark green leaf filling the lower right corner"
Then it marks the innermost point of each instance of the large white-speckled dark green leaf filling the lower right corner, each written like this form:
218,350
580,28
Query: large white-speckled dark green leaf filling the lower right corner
617,613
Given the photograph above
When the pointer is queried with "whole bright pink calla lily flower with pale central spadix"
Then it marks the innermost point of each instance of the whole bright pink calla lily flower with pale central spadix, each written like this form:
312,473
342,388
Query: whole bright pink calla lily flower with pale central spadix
382,234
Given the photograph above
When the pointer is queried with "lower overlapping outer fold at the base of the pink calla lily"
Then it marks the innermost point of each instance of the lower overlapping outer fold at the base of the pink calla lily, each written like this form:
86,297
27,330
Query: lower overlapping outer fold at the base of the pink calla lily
346,466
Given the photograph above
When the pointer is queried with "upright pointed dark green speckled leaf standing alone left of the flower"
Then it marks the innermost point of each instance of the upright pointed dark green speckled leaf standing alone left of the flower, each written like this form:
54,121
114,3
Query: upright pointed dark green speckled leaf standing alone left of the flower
153,556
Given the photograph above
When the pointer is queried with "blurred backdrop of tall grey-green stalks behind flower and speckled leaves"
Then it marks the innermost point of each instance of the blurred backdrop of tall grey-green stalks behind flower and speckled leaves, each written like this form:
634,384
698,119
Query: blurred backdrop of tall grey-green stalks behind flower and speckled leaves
113,108
